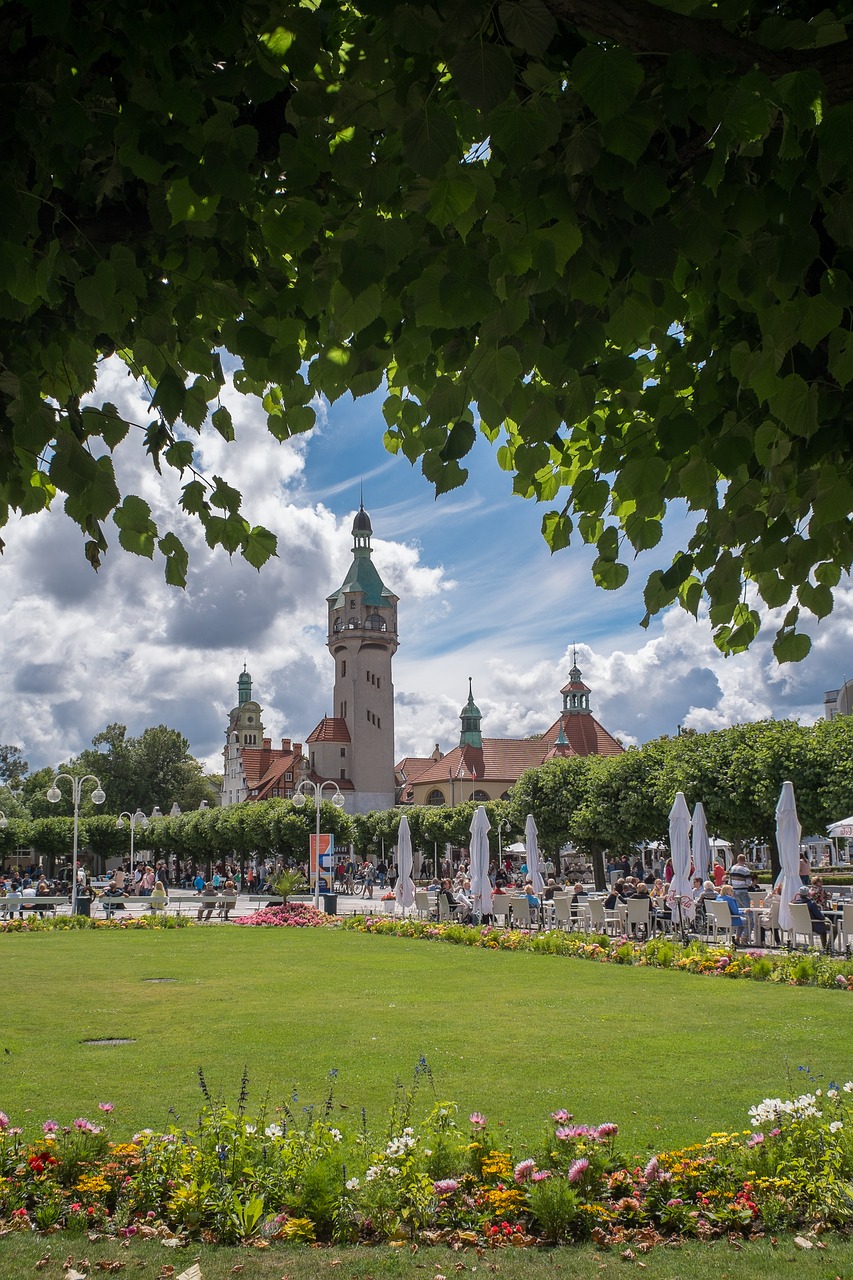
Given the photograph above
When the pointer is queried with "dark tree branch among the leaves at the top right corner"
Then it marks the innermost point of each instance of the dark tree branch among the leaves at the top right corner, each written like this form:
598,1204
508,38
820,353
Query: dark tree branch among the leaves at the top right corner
650,29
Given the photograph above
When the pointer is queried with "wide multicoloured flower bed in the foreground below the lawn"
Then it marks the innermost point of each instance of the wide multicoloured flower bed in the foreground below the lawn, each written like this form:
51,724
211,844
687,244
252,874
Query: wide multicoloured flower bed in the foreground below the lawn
281,1177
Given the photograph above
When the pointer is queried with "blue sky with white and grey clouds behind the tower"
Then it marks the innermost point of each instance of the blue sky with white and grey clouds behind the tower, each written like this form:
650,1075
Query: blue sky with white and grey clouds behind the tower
480,596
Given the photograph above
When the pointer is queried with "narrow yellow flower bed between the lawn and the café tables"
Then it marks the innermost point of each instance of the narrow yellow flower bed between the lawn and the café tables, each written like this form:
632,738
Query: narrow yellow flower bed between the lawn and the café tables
795,968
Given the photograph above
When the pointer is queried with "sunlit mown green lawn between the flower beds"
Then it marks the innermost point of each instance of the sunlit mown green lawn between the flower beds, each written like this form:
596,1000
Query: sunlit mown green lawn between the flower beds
667,1055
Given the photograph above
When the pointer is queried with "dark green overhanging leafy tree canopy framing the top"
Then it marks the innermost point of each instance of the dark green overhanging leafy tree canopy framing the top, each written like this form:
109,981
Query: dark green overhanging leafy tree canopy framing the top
615,239
